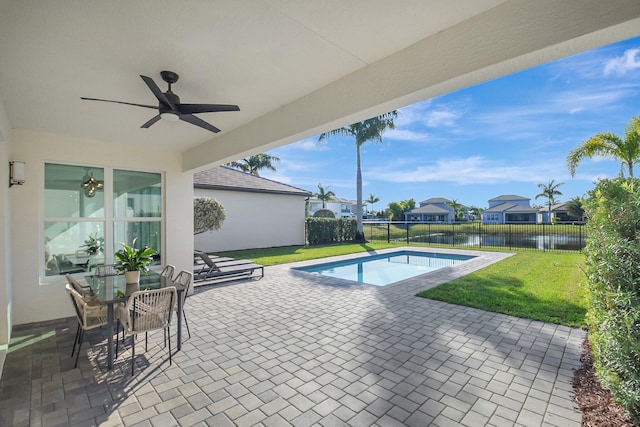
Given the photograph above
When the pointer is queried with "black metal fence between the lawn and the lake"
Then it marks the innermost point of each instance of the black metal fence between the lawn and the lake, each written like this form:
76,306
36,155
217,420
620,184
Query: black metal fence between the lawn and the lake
543,237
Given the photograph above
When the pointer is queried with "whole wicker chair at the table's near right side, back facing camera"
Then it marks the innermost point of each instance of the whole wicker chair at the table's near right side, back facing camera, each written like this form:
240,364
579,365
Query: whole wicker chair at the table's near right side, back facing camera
147,311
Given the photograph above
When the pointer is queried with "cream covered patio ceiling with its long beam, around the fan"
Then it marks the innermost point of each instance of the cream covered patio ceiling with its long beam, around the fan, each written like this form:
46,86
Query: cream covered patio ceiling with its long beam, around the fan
295,67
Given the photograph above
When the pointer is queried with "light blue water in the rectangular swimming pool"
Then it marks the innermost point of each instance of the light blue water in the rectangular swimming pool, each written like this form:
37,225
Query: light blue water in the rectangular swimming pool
382,270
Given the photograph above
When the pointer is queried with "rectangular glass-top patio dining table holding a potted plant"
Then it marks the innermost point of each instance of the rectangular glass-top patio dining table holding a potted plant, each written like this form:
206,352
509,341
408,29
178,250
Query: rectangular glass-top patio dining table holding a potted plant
111,290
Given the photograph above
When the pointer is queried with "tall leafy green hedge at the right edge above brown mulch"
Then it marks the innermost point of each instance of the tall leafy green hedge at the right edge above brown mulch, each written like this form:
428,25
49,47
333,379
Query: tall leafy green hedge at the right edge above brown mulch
613,272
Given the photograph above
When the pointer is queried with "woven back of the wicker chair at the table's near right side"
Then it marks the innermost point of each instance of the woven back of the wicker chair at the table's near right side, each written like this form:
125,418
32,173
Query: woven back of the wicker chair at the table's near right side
150,310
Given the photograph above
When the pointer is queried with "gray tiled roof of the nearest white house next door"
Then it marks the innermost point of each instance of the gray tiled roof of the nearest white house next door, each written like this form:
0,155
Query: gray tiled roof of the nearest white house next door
225,178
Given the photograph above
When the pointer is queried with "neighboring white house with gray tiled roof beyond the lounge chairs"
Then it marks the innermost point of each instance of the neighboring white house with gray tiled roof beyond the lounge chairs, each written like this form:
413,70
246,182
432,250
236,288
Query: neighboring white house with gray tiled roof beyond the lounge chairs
260,213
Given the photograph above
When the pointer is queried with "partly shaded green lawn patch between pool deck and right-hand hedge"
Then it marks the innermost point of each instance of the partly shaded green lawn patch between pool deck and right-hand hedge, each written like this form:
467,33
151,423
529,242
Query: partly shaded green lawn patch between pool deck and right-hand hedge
534,285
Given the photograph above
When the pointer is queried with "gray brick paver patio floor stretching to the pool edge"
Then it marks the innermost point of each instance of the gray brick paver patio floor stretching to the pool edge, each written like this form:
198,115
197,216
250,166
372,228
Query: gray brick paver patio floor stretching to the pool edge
301,350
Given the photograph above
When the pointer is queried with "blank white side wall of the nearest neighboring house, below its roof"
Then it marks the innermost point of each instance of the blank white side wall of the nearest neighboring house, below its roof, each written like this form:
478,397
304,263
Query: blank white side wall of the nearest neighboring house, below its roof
254,220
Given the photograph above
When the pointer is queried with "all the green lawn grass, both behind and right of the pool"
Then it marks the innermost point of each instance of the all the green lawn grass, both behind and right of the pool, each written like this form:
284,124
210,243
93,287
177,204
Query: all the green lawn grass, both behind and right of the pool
543,286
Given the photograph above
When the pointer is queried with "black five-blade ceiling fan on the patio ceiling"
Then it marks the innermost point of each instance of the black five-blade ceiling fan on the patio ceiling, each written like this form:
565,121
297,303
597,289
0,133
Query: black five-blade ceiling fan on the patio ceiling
169,106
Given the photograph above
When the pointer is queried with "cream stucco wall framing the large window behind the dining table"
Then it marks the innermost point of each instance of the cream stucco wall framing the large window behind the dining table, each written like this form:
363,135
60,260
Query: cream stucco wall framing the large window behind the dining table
36,298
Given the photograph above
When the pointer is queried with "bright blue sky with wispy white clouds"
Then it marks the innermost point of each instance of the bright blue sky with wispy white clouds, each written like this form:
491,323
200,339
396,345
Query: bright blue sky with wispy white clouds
503,136
